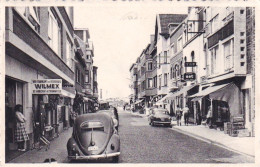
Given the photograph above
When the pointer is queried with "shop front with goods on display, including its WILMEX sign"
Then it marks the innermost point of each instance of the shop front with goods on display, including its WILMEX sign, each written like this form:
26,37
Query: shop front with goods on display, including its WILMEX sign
51,109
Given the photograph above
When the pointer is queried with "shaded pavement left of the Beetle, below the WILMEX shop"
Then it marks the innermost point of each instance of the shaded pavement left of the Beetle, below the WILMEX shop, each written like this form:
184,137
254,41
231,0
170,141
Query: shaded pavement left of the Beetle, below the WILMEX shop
58,151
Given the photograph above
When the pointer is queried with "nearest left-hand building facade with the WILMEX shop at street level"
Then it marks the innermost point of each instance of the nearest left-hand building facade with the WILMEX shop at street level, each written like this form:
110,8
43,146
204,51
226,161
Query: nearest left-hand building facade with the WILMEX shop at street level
39,49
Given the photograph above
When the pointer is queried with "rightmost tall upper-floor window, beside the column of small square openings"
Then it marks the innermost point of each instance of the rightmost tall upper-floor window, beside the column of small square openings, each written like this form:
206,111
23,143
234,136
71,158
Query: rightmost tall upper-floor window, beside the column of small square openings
228,55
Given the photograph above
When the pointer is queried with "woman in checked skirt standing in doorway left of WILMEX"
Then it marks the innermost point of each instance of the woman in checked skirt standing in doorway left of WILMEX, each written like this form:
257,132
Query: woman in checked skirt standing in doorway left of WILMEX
20,134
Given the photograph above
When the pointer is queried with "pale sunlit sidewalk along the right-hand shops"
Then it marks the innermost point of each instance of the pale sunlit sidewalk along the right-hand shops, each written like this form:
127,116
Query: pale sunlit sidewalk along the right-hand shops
241,145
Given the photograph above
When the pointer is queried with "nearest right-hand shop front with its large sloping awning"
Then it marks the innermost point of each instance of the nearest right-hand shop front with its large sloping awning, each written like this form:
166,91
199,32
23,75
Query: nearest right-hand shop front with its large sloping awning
224,100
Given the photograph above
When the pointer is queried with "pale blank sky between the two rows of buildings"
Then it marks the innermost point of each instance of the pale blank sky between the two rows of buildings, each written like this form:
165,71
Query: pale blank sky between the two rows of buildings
119,31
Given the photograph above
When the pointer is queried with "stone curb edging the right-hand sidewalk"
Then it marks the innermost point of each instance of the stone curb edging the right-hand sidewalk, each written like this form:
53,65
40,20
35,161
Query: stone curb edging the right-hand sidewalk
211,142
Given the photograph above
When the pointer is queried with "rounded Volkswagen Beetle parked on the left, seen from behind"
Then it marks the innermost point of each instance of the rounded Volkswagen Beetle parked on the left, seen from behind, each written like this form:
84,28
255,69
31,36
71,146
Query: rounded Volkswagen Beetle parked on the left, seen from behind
94,137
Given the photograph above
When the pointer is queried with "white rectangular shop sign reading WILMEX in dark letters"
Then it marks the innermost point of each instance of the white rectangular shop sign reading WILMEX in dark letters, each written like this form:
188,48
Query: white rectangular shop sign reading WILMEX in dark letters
47,86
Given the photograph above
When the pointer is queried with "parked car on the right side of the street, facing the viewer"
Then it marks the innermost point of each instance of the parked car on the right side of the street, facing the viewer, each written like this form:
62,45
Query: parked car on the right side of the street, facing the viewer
159,116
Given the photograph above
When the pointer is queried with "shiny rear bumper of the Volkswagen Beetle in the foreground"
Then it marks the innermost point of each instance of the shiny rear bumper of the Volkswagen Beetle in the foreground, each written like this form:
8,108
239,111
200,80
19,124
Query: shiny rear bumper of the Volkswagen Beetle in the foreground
93,157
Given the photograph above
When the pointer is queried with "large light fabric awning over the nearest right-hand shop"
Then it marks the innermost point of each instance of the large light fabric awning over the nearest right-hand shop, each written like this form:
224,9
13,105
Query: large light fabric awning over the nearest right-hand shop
229,93
